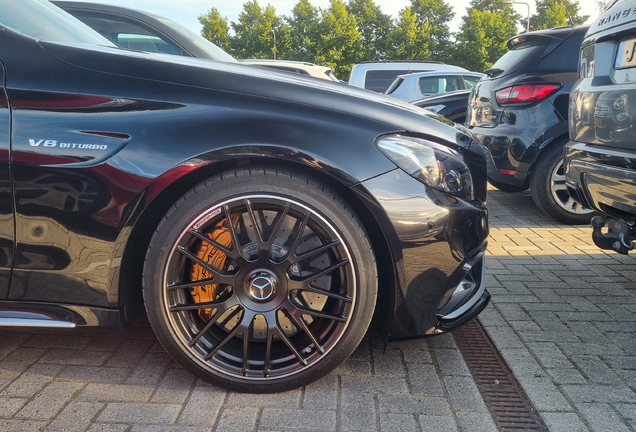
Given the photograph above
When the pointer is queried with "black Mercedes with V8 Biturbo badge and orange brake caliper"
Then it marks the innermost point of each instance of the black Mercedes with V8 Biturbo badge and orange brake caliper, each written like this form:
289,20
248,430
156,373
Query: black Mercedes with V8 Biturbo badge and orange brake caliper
261,217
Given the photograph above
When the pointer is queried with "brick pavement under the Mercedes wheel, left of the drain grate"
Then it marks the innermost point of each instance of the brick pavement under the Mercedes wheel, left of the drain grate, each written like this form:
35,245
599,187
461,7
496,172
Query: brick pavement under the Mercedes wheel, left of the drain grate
94,381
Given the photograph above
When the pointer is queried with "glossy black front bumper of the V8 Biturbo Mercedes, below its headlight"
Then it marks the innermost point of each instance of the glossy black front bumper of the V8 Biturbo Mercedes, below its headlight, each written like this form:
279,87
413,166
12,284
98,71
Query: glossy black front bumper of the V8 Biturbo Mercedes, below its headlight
438,244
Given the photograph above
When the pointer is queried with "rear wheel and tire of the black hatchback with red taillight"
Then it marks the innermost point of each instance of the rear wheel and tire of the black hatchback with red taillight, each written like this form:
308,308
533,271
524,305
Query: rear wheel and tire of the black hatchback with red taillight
547,185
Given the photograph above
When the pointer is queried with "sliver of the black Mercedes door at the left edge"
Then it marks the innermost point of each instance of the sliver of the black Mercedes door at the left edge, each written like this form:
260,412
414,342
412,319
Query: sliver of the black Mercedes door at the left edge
7,233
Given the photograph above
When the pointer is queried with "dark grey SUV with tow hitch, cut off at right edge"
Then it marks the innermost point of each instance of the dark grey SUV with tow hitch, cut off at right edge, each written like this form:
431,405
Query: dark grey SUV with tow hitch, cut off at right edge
601,158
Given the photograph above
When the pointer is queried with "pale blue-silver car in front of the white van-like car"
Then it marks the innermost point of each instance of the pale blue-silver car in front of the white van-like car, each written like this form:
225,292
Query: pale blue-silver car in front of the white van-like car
415,86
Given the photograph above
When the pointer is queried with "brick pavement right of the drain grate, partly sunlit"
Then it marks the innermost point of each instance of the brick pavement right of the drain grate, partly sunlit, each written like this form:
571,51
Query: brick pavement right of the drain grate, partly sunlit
563,316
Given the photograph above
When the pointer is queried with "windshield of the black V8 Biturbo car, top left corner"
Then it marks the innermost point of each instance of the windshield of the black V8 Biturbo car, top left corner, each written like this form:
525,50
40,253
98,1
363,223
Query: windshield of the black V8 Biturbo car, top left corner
43,21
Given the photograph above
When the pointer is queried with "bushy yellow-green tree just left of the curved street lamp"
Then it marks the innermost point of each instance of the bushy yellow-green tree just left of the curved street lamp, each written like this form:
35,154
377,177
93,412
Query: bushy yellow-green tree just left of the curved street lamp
484,32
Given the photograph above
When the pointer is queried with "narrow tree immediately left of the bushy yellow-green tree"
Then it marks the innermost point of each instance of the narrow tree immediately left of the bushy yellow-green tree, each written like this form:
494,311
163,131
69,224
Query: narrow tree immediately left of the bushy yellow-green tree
433,17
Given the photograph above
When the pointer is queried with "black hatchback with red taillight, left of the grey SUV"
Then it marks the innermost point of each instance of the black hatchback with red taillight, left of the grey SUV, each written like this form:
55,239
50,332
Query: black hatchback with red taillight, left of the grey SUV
519,111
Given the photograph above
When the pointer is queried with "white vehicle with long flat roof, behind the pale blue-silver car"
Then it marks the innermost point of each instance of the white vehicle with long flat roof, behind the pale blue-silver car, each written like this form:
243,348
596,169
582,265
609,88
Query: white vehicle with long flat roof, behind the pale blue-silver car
379,75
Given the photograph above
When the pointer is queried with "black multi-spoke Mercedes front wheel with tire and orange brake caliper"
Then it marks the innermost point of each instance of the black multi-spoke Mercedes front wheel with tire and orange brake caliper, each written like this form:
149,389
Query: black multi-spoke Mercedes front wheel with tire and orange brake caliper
302,285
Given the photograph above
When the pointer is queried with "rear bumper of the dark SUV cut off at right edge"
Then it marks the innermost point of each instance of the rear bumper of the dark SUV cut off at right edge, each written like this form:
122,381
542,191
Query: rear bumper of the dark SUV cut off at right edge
604,178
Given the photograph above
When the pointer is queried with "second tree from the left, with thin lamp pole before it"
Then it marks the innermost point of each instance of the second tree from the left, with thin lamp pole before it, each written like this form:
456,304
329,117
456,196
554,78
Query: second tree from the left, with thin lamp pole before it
253,36
